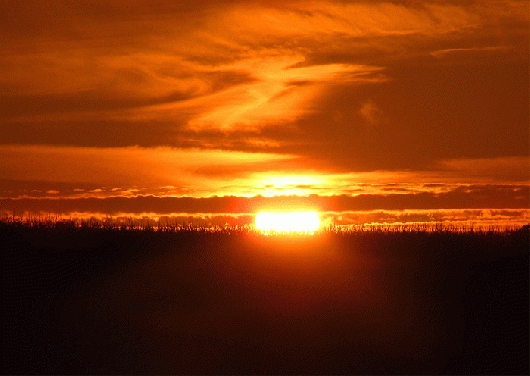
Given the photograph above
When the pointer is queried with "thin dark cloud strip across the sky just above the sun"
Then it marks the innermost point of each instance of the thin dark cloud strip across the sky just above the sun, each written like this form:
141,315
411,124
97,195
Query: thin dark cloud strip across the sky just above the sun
465,197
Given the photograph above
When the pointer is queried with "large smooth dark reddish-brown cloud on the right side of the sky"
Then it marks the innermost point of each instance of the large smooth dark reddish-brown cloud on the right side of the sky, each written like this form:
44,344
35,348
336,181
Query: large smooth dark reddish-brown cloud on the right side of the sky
433,113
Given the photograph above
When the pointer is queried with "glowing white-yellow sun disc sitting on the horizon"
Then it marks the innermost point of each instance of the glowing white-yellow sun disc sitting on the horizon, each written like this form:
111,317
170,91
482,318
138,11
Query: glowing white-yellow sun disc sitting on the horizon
288,222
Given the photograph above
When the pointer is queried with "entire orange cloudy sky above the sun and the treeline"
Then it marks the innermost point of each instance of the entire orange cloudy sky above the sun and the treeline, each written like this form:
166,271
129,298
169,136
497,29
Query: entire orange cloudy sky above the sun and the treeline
368,111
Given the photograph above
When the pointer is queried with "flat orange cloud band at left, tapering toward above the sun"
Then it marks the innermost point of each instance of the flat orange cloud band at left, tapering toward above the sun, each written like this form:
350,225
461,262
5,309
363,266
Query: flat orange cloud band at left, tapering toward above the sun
133,166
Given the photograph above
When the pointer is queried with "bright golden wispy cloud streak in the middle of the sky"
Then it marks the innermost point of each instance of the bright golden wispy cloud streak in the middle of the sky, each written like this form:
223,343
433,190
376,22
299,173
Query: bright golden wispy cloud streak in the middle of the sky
275,98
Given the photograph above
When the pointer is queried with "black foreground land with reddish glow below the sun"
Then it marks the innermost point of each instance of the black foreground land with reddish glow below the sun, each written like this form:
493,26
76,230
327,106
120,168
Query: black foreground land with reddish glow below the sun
95,301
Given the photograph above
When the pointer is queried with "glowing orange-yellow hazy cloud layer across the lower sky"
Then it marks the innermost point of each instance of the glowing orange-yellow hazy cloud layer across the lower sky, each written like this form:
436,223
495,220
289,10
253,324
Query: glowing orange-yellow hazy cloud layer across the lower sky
31,171
